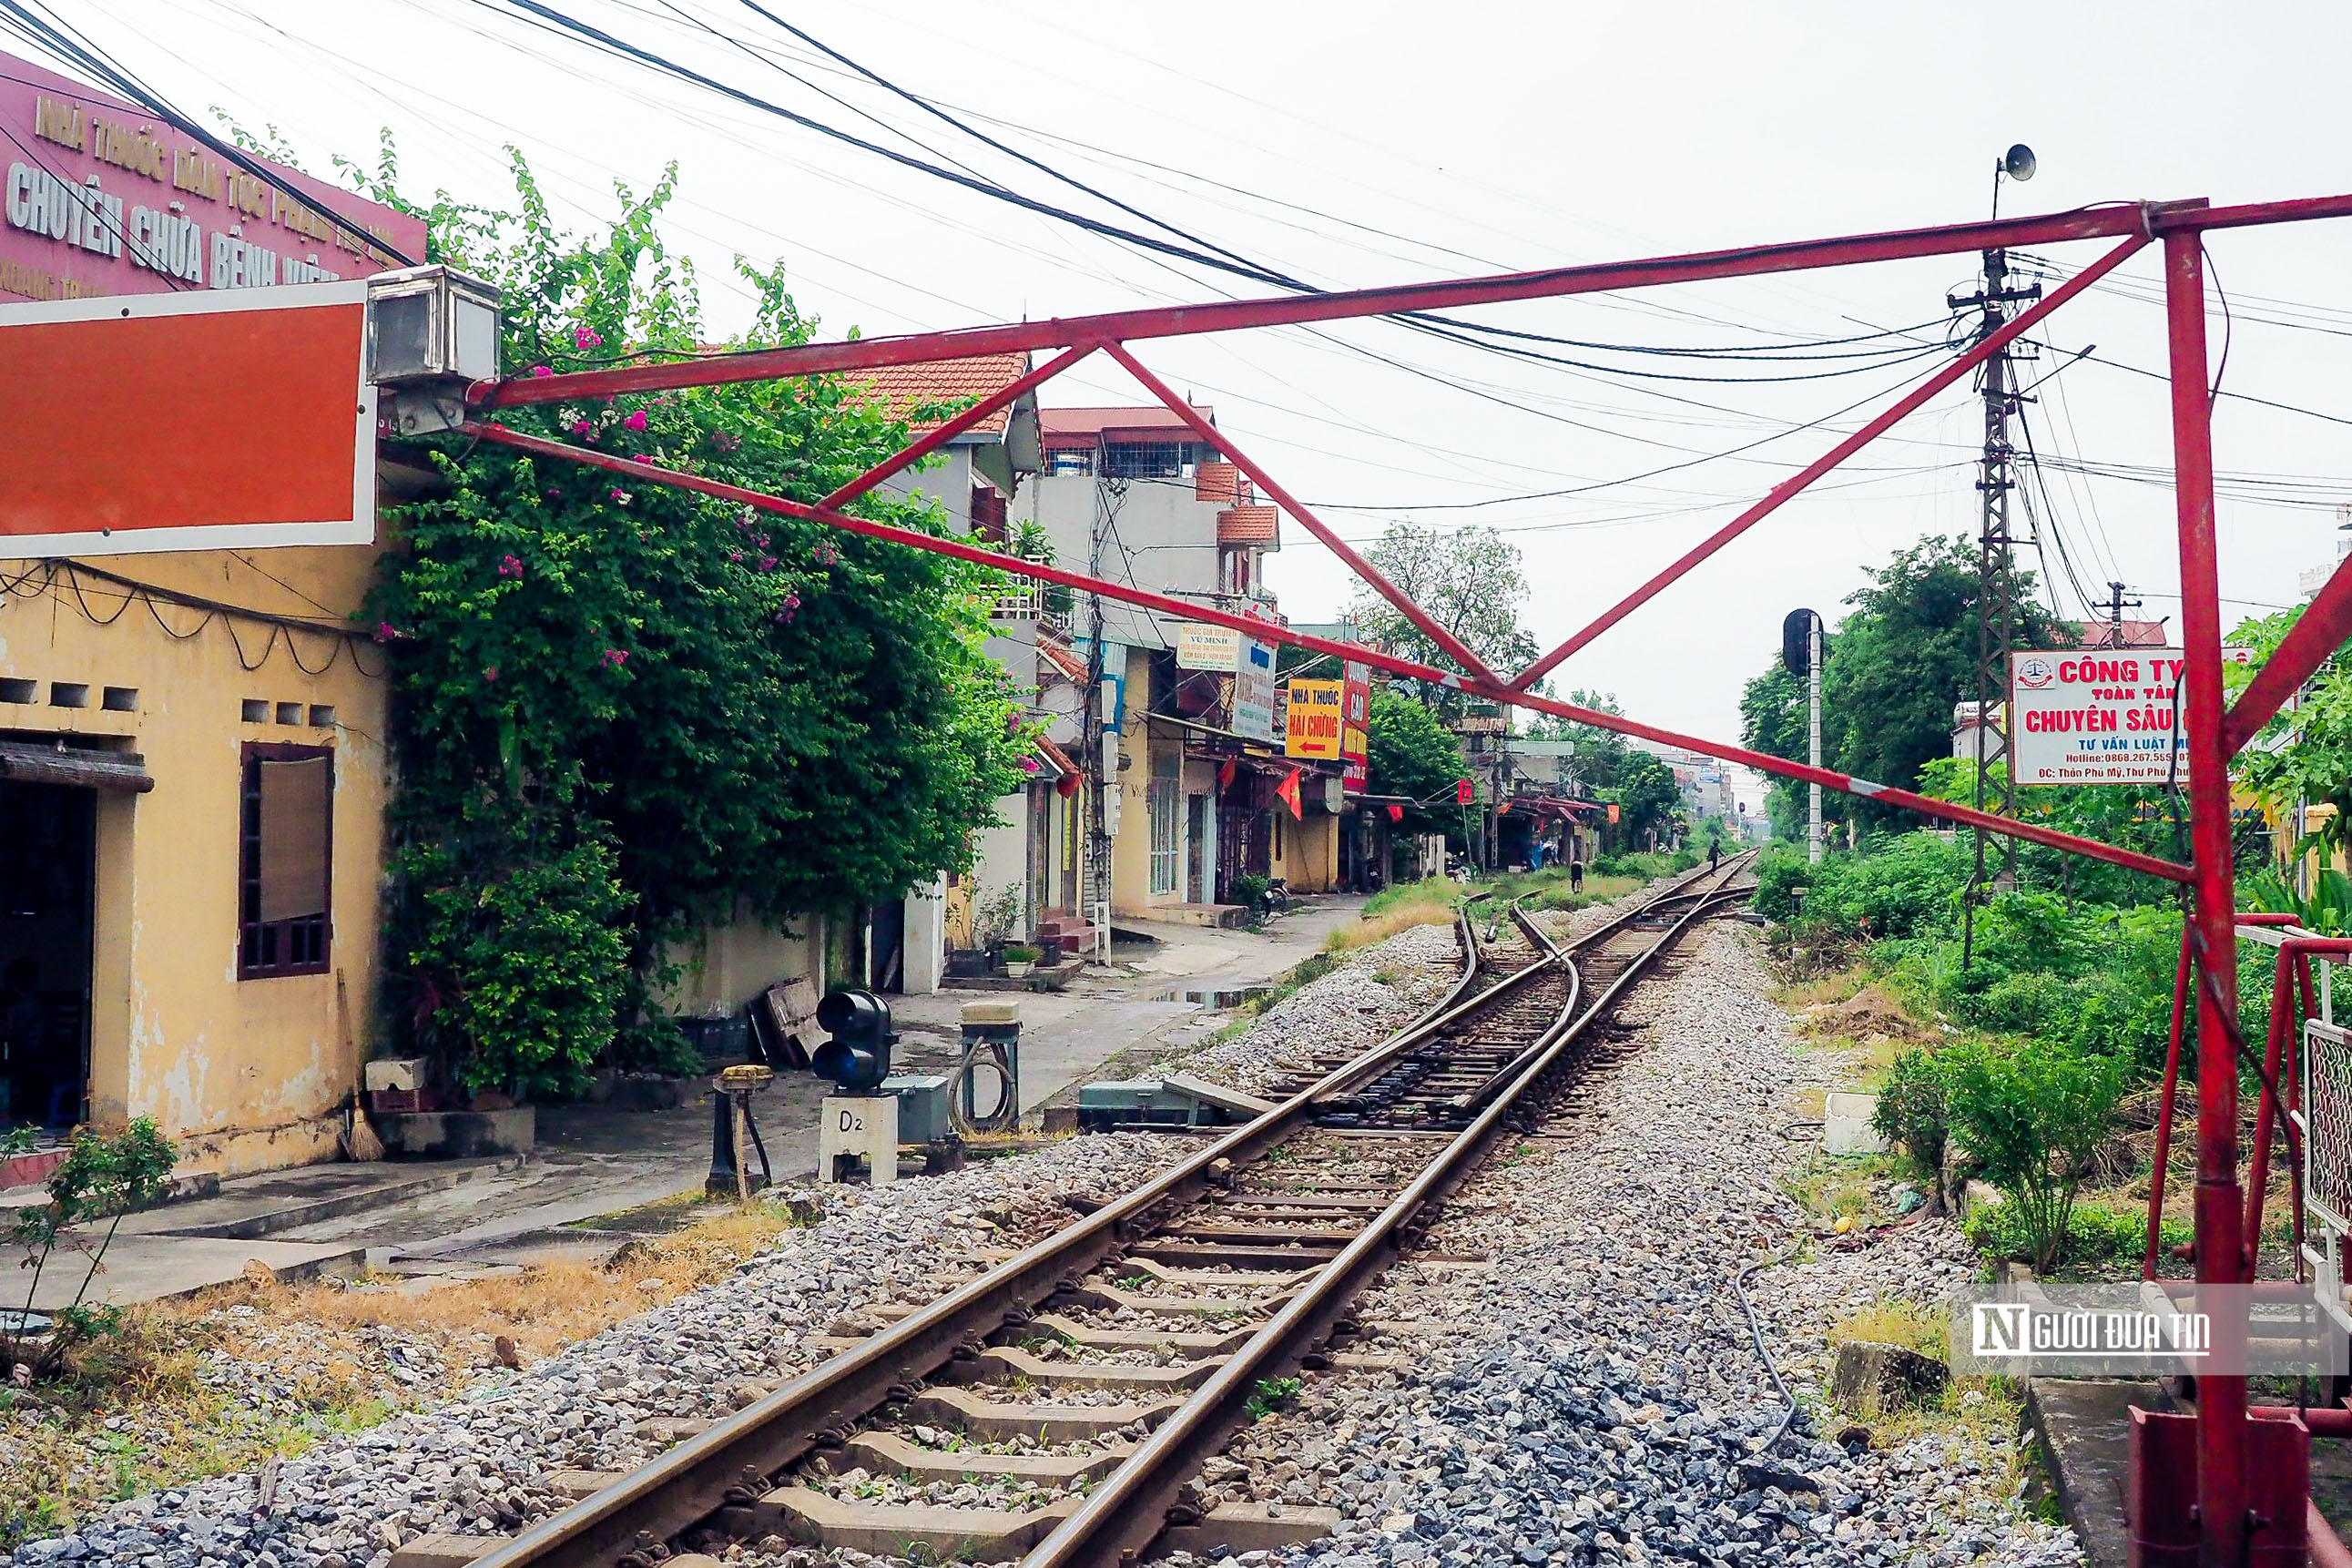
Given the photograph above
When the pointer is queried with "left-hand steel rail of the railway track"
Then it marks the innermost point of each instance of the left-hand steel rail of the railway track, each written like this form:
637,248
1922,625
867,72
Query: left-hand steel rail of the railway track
693,1480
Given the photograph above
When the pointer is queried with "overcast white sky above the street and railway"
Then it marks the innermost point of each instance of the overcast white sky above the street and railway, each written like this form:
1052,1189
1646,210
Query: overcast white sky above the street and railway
1387,142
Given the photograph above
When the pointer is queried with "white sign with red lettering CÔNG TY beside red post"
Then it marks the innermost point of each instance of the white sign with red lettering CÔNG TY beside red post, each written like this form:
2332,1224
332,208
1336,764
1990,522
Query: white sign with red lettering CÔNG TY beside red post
2097,716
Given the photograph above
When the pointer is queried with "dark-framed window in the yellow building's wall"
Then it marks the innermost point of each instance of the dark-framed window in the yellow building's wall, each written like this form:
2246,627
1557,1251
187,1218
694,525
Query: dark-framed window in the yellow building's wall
286,845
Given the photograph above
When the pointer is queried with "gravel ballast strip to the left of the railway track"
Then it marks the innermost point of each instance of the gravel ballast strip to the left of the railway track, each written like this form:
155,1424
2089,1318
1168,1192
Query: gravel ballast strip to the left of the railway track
481,1466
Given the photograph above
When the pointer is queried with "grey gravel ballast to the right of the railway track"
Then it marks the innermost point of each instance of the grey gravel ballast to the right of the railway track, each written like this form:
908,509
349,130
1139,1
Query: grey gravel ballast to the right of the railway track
1591,1393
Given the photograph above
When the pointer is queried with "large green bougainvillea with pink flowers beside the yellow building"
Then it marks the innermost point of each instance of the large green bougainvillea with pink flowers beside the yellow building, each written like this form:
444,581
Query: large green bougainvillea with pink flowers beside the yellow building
629,709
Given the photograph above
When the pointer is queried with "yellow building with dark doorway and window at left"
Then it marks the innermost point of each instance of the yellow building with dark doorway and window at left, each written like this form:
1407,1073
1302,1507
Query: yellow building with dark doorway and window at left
194,817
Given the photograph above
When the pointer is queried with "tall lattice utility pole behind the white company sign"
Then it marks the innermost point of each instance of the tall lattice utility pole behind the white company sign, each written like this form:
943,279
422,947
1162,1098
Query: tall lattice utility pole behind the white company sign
1996,572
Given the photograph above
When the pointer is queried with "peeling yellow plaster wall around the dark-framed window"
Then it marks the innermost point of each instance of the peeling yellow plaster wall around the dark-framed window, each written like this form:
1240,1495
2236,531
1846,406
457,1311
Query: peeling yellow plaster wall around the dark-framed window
243,1073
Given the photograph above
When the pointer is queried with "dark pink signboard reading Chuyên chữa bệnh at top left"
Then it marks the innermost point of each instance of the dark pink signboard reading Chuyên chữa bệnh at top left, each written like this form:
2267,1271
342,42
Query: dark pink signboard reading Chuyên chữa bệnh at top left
102,199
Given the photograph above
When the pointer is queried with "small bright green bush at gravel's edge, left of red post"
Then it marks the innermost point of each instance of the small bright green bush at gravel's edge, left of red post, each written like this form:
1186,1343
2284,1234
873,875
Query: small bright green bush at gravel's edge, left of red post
2031,1120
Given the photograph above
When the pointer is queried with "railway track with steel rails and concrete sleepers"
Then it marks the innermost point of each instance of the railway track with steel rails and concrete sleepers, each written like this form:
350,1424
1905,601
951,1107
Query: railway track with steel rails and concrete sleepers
1057,1407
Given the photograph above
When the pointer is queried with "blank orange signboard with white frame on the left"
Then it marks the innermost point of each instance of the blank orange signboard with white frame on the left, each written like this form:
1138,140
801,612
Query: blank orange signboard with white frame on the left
187,422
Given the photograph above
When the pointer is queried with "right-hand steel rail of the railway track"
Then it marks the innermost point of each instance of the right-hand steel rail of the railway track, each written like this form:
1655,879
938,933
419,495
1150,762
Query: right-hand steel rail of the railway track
1130,1508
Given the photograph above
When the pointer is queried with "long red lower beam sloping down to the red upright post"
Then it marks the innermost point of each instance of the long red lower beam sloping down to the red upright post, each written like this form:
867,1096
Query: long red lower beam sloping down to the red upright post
1325,645
